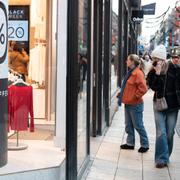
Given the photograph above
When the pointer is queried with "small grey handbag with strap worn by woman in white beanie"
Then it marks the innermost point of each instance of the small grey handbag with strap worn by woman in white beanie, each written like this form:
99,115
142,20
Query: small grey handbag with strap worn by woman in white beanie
160,104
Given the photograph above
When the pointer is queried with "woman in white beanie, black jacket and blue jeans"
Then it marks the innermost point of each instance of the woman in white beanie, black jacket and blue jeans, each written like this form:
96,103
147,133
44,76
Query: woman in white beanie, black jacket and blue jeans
164,80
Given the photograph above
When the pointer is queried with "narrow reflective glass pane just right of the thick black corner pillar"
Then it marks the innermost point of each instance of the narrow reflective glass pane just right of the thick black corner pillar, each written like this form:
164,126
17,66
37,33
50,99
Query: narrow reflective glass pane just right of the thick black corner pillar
82,83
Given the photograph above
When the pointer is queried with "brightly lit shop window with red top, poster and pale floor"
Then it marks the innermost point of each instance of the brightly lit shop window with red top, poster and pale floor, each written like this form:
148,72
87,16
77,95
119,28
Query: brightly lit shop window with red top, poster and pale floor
32,91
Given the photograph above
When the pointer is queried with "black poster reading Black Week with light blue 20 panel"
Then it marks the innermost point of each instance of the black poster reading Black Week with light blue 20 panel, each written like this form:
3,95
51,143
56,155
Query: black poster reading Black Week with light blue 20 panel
18,25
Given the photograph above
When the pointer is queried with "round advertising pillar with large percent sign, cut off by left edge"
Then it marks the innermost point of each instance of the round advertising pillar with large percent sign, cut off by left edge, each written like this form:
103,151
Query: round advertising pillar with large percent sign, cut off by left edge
3,81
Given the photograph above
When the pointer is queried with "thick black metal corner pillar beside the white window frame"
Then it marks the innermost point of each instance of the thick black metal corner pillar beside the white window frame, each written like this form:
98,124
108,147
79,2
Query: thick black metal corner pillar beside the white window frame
72,90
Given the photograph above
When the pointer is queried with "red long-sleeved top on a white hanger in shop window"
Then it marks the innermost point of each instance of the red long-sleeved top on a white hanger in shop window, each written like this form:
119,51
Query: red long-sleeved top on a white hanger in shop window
20,106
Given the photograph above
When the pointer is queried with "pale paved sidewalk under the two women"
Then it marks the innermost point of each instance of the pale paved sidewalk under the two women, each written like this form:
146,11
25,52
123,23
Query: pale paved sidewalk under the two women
109,162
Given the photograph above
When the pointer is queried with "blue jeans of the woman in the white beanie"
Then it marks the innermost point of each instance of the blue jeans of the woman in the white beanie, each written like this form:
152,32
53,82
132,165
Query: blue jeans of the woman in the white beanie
165,124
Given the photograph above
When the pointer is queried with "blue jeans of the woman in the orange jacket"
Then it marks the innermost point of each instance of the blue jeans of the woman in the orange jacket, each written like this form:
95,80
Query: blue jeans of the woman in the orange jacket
134,120
